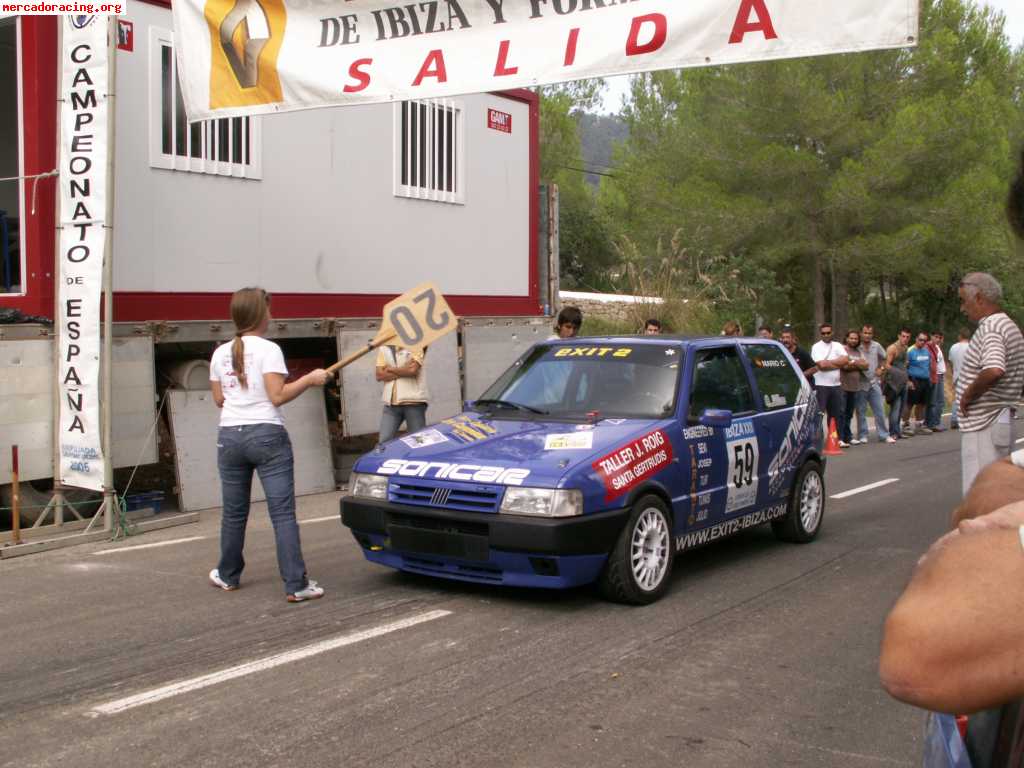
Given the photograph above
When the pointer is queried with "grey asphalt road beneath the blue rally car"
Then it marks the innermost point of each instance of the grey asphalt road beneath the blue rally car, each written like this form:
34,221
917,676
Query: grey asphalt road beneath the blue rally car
762,655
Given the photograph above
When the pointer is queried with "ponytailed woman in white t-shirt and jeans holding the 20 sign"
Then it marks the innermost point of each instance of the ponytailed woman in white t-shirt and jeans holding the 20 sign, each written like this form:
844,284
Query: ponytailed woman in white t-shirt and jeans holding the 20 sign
247,376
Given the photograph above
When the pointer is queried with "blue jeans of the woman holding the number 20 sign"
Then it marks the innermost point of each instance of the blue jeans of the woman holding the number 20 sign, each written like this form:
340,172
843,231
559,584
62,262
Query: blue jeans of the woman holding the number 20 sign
268,450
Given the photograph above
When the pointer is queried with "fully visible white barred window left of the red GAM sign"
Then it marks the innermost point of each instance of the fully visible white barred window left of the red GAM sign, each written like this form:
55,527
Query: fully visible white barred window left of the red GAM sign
430,150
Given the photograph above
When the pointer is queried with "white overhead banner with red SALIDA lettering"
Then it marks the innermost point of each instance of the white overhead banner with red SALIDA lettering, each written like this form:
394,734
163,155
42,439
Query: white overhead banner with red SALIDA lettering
251,57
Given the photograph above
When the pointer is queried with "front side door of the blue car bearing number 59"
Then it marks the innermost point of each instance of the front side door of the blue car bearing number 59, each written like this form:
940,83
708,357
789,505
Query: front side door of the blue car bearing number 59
723,461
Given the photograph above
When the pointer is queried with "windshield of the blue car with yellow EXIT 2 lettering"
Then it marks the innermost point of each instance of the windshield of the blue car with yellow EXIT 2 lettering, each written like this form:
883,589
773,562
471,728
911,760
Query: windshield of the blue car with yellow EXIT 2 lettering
629,381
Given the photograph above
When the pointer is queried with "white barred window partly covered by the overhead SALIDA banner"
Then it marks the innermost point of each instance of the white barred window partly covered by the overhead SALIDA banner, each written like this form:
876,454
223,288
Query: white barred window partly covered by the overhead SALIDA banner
226,147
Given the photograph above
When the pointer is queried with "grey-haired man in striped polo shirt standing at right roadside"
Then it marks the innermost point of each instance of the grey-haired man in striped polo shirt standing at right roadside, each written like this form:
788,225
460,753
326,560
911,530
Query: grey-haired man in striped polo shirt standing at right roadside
992,378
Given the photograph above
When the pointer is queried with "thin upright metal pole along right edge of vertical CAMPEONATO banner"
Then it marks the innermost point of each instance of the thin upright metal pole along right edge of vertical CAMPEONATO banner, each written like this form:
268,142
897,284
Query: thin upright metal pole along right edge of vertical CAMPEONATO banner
109,501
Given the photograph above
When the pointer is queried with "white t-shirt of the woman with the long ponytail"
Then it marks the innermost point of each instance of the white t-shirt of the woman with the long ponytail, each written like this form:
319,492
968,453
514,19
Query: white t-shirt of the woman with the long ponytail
250,406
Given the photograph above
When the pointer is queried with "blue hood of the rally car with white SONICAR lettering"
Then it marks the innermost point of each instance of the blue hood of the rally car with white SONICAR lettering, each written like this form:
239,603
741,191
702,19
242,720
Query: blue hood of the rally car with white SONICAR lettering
552,452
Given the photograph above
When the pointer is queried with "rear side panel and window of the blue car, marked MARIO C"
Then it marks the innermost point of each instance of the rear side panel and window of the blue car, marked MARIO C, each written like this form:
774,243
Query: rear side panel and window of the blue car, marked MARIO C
784,397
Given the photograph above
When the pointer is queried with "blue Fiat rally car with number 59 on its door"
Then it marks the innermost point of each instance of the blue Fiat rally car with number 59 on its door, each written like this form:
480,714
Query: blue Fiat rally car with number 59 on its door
600,459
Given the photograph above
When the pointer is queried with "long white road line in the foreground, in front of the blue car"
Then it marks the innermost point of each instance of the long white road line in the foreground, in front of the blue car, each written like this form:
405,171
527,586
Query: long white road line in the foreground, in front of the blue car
204,681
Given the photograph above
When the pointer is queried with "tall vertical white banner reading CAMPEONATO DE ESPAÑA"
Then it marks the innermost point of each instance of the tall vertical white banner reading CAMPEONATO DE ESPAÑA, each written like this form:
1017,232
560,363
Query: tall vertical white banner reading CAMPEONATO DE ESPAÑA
83,211
